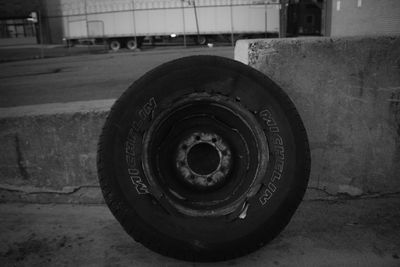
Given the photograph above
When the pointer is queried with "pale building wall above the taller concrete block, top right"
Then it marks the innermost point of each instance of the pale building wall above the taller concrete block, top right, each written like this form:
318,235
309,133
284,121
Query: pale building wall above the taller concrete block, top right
364,17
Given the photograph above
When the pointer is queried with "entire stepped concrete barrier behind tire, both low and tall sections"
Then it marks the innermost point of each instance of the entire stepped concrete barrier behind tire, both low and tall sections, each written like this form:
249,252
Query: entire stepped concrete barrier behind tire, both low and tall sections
346,90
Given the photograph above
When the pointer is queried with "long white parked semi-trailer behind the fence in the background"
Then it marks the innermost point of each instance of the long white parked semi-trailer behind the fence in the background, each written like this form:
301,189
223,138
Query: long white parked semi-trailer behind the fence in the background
128,22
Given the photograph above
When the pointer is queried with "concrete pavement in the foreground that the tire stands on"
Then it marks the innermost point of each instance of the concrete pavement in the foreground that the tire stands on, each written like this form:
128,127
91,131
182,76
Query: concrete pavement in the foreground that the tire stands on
347,232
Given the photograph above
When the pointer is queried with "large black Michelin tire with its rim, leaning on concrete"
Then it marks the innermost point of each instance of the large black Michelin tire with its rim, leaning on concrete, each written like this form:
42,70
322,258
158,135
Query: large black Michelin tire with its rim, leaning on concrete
203,159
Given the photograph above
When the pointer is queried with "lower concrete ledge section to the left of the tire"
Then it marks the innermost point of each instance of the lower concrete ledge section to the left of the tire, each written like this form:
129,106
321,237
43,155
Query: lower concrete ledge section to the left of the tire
49,152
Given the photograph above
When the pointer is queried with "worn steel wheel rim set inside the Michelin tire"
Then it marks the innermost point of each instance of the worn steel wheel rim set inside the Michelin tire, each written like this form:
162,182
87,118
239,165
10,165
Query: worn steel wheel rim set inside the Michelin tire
231,192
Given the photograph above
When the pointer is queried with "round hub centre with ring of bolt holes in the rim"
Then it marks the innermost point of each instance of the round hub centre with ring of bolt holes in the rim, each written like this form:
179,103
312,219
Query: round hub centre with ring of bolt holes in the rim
203,160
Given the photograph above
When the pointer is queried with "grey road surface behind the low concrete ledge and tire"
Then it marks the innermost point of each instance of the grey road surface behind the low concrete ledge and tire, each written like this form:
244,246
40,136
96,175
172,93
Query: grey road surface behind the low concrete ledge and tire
87,77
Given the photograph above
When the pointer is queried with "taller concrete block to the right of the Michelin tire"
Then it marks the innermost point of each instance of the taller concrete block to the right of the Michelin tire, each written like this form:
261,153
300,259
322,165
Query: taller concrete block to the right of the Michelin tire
348,93
